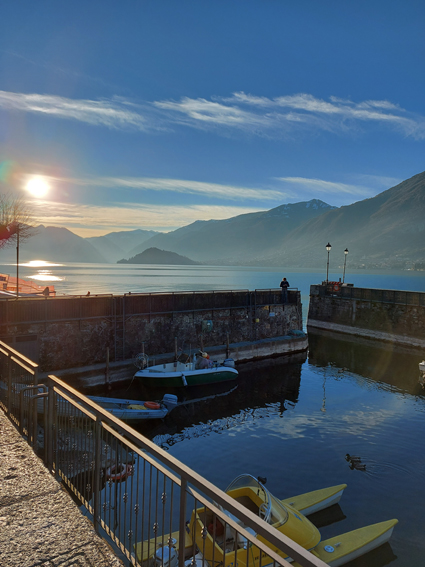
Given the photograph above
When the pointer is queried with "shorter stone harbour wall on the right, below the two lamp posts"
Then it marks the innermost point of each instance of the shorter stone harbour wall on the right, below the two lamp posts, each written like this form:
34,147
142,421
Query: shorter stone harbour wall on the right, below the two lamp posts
392,316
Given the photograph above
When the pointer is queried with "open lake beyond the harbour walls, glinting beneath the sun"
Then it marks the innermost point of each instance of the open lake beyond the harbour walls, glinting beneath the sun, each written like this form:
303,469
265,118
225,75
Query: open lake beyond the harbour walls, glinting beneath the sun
78,279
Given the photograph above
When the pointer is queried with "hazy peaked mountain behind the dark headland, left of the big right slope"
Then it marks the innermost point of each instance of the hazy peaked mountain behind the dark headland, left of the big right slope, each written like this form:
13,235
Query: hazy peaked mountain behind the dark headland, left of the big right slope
239,239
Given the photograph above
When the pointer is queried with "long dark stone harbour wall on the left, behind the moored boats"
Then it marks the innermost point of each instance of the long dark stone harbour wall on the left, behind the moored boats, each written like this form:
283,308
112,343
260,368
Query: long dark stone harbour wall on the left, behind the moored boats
74,335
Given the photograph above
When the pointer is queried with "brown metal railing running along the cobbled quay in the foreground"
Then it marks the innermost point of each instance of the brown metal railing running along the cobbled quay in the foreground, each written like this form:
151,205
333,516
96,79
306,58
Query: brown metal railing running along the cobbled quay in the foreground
155,509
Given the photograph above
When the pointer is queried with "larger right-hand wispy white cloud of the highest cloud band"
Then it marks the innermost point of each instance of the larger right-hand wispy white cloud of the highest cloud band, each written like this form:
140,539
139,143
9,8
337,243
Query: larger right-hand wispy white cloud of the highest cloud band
286,114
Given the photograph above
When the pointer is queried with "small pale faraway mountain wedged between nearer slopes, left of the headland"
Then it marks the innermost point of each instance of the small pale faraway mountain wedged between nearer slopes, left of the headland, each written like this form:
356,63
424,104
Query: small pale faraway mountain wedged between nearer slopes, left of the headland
116,245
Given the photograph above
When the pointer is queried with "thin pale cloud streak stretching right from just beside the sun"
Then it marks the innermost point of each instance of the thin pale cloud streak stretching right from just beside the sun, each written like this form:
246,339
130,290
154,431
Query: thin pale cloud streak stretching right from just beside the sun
215,190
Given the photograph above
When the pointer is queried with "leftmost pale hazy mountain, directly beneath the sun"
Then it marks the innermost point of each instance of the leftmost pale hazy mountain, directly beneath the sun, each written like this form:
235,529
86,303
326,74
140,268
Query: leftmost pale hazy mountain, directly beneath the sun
53,244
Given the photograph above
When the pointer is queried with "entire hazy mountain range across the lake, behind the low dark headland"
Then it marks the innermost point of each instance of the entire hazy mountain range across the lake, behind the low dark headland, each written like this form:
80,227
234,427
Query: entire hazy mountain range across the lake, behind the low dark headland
386,231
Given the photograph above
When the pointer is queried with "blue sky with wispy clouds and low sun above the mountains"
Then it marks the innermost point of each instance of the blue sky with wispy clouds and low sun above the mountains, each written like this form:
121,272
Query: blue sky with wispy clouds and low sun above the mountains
154,114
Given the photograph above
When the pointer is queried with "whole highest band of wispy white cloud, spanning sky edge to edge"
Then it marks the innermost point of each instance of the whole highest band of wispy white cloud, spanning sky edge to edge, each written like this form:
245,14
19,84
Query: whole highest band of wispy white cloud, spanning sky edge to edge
257,115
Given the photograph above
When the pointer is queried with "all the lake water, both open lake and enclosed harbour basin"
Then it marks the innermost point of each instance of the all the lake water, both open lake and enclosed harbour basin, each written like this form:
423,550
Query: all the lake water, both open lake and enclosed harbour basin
293,419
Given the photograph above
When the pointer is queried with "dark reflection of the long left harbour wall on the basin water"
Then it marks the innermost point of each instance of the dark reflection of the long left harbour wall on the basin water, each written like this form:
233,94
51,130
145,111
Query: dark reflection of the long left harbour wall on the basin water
264,389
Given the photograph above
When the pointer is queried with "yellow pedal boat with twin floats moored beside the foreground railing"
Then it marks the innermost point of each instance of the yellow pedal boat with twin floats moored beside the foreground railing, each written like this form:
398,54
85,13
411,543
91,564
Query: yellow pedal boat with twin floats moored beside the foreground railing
224,547
